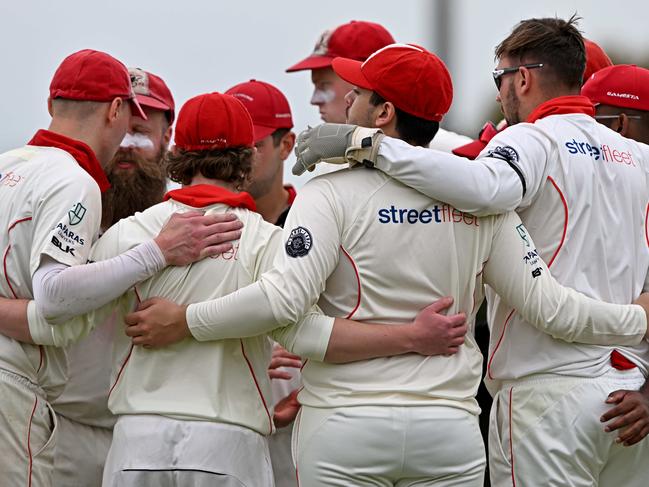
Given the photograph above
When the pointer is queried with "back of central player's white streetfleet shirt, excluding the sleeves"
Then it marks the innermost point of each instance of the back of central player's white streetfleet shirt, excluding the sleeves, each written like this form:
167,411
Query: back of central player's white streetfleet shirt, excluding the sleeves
399,252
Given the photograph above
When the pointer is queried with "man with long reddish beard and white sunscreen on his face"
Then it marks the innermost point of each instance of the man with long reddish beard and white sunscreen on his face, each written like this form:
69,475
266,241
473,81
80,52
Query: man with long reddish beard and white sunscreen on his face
138,180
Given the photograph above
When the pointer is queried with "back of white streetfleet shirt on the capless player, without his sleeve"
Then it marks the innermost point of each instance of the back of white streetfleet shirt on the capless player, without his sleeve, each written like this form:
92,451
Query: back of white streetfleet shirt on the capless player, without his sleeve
588,219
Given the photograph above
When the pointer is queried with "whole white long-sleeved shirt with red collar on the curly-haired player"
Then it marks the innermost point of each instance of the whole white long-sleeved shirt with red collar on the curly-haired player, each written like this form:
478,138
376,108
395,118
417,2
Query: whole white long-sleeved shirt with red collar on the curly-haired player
222,381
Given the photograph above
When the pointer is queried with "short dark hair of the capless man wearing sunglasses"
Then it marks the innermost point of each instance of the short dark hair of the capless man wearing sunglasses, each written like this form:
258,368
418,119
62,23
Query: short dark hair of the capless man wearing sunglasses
556,43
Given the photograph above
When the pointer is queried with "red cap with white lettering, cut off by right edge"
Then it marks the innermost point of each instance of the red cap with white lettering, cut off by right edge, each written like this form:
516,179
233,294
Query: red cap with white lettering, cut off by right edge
621,85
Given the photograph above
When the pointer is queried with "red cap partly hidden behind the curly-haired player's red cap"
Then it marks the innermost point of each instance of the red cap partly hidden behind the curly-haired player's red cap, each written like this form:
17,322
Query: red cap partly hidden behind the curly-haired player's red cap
268,107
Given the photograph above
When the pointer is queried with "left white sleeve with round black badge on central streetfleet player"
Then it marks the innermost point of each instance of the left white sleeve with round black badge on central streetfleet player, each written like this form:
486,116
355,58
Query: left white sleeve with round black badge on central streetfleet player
285,294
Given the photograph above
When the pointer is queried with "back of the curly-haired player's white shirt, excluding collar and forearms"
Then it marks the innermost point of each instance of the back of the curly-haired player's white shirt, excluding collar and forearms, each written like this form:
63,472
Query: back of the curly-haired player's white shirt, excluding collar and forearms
189,380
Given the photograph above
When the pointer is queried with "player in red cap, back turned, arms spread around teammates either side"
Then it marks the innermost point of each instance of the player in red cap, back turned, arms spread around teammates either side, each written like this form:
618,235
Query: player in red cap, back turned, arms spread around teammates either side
366,247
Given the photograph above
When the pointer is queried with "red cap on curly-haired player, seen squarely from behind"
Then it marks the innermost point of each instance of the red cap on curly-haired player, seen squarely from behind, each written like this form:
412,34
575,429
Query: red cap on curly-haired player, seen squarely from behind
213,121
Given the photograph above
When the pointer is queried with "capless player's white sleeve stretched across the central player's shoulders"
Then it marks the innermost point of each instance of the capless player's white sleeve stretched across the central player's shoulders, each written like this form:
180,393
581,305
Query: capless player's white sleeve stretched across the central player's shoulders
474,187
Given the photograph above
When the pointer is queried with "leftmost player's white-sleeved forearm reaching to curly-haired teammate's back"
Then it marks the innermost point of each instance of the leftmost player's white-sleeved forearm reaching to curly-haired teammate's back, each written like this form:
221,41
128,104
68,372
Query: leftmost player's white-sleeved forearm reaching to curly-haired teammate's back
63,292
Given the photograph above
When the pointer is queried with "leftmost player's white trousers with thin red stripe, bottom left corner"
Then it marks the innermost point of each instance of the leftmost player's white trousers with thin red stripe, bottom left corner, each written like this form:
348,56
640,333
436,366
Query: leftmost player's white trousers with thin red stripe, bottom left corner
27,433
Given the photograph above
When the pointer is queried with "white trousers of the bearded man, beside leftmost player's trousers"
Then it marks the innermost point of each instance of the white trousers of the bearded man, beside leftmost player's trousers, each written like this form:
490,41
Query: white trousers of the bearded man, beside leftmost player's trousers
80,453
